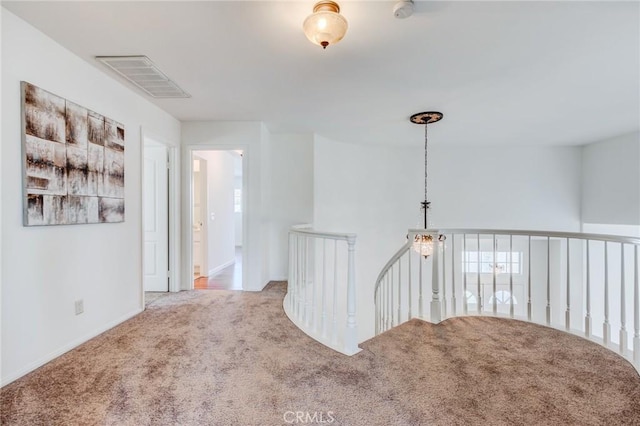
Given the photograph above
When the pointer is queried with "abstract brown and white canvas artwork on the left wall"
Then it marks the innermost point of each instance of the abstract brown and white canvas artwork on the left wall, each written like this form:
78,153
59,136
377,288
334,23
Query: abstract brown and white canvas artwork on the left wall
73,162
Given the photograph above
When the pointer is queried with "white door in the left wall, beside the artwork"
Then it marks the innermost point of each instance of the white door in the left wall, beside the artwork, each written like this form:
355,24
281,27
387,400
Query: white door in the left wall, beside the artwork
156,218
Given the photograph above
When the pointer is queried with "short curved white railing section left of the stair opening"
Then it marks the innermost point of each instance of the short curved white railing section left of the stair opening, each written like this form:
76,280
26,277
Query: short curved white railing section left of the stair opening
321,291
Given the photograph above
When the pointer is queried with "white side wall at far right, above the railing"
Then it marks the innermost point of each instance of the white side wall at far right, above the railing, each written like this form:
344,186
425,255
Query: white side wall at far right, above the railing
611,181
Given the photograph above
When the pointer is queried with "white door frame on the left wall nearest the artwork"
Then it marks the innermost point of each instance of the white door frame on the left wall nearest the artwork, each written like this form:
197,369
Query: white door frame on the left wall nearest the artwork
173,211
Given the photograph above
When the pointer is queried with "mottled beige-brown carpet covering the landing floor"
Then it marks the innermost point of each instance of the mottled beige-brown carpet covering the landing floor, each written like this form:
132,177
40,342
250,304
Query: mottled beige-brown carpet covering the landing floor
233,358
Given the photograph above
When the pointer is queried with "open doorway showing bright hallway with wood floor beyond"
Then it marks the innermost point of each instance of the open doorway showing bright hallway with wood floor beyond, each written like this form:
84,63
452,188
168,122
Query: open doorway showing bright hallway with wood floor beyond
217,219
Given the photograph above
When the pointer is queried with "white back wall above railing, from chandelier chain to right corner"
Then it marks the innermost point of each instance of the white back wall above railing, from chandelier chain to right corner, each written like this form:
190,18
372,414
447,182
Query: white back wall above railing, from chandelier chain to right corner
506,187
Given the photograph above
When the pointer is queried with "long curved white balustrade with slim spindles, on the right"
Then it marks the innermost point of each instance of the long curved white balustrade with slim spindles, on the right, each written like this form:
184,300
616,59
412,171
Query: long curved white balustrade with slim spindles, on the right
570,281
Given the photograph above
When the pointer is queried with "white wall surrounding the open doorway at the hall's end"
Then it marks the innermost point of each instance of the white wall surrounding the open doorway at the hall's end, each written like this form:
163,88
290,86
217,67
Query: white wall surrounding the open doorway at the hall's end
247,136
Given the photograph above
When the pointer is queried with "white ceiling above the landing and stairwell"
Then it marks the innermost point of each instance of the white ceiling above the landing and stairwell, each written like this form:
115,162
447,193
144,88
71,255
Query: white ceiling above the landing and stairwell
519,73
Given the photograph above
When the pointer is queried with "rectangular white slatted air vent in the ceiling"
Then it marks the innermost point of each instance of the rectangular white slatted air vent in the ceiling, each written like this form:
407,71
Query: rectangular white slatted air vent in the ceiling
145,74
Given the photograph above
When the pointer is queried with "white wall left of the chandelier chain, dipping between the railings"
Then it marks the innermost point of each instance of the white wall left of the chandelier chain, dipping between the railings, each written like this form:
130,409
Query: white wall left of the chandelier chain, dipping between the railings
374,192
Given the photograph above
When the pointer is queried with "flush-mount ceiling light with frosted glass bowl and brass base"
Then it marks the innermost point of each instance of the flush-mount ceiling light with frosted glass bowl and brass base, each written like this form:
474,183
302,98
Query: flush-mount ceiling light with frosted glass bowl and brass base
325,25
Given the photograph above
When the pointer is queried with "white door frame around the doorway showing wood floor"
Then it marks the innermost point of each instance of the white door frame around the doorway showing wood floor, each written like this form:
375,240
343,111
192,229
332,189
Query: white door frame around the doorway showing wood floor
187,169
